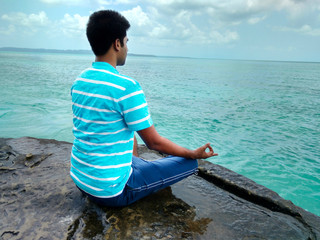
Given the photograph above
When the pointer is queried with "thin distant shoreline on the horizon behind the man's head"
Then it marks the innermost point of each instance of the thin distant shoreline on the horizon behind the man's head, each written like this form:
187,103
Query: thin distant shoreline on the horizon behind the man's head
44,50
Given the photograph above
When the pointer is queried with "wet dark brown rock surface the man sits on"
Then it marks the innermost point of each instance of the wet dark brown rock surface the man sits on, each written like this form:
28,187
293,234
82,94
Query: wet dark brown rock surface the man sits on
39,201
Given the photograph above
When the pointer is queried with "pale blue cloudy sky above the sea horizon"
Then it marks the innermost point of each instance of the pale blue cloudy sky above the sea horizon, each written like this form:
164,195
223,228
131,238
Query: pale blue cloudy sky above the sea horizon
285,30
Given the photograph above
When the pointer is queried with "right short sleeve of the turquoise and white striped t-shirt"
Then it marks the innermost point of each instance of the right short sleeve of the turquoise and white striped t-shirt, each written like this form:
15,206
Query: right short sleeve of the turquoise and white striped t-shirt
135,109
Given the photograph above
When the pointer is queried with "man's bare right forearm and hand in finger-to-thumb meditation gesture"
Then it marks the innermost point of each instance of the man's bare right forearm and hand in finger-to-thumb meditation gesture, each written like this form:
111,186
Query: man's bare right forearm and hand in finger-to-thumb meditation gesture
154,141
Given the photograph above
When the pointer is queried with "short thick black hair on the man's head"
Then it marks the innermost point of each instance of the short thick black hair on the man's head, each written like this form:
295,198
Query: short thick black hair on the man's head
103,28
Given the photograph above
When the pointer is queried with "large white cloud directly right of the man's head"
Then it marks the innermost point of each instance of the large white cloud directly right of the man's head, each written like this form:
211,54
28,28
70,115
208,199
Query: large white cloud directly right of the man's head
185,26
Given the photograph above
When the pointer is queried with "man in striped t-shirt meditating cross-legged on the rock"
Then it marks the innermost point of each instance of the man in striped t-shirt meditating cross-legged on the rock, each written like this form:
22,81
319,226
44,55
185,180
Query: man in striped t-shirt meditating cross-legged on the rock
108,108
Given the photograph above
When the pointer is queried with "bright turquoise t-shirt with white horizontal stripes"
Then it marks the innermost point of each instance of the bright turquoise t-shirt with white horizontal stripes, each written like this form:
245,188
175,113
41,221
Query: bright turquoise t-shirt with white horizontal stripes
107,108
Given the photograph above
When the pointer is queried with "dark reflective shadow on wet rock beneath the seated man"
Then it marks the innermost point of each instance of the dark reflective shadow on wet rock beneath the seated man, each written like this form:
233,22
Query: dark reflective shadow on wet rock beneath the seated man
159,216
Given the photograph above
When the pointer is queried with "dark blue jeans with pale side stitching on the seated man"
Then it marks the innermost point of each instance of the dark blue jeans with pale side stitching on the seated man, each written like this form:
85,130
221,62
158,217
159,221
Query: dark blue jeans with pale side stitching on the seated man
148,177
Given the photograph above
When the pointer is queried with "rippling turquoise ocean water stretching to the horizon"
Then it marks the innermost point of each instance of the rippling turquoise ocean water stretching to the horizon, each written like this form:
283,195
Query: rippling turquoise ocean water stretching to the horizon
262,117
